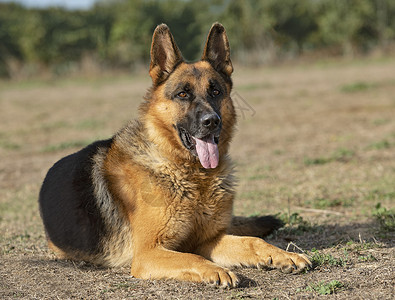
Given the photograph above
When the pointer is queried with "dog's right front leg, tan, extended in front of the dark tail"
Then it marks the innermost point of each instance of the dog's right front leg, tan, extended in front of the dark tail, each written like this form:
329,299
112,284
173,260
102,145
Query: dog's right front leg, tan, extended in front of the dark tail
230,250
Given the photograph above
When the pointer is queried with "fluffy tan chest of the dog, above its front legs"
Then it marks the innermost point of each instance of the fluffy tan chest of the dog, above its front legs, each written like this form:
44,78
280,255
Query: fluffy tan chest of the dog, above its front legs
199,212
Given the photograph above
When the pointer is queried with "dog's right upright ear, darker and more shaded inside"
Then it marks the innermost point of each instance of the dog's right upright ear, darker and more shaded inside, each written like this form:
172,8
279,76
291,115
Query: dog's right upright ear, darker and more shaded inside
217,51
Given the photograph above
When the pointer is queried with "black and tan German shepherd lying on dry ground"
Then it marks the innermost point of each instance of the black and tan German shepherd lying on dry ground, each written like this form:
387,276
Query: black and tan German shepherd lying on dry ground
158,195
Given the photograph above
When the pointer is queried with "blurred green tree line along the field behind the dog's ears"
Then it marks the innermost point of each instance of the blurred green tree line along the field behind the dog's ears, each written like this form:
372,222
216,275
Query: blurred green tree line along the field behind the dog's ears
117,33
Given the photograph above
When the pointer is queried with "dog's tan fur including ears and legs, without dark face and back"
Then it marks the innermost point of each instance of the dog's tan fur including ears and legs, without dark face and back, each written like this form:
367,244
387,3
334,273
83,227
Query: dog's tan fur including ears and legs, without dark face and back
168,216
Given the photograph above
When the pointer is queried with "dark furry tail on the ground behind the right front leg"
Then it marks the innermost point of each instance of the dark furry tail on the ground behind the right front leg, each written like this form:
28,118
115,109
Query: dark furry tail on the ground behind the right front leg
254,226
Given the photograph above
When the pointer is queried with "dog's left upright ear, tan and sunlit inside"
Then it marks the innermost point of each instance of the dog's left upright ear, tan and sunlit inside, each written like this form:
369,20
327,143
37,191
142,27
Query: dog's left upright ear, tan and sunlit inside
165,55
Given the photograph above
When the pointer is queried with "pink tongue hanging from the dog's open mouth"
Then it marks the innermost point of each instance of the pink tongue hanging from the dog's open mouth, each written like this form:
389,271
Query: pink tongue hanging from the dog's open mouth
207,151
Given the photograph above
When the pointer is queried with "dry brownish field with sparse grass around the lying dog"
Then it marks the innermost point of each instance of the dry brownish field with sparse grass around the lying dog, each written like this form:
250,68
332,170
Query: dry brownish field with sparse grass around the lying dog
315,145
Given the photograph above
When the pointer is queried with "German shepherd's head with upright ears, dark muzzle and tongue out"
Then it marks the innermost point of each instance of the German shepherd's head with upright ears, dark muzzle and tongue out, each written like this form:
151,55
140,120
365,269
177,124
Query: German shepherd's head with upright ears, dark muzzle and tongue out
189,108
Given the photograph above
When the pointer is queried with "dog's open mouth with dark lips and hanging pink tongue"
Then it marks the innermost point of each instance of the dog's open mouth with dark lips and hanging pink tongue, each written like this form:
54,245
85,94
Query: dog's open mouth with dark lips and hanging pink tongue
205,148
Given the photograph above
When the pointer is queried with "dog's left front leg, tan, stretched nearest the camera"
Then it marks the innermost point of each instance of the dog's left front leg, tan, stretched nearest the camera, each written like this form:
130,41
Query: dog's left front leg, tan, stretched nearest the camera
160,263
